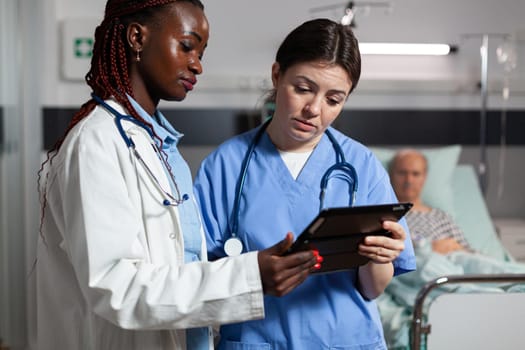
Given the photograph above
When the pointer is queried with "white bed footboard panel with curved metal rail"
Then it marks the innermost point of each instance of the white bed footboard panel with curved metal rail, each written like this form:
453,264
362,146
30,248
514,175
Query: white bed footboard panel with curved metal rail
469,321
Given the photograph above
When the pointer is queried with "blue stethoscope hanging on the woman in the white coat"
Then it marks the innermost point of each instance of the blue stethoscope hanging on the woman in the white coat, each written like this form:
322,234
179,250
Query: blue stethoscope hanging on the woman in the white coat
169,199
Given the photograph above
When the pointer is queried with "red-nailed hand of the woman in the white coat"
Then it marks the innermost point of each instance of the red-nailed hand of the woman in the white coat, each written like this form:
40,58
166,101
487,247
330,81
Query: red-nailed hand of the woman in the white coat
281,274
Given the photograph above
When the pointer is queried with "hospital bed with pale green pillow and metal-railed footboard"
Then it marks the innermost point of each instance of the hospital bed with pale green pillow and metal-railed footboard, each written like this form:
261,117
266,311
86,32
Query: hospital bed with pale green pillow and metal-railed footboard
458,311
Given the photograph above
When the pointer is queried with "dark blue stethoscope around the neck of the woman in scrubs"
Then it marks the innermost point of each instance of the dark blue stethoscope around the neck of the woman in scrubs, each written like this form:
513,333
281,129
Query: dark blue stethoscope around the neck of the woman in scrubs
233,245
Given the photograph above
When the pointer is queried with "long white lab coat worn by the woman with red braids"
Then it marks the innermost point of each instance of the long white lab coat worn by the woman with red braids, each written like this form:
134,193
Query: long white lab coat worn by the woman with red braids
110,270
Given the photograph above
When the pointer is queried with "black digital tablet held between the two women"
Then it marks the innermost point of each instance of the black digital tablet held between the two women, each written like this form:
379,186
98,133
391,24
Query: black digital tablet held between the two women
337,232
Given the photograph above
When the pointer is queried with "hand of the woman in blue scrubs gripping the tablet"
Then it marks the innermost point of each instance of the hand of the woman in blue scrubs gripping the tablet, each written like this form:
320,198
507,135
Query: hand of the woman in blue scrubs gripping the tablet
383,249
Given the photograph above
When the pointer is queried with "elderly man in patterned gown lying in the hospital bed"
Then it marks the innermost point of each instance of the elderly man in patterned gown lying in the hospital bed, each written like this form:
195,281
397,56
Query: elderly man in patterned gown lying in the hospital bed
433,231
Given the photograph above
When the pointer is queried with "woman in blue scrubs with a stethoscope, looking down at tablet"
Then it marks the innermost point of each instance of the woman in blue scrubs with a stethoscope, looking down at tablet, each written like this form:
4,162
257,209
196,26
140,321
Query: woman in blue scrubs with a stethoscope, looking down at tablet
281,167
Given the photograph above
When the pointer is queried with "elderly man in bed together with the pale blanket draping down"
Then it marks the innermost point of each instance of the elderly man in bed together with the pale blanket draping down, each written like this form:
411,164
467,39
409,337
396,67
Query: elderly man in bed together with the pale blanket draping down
440,247
